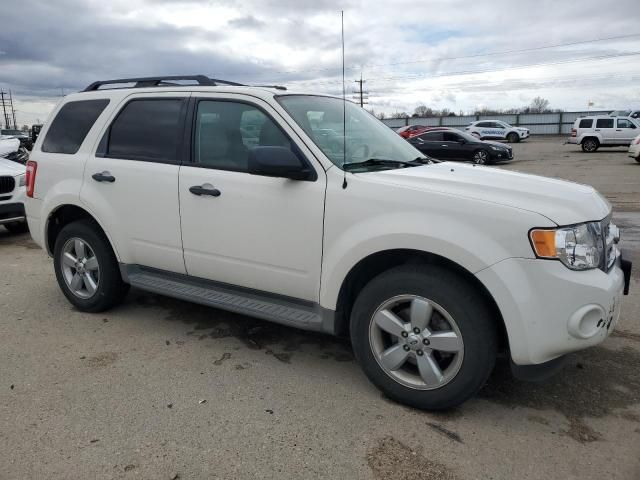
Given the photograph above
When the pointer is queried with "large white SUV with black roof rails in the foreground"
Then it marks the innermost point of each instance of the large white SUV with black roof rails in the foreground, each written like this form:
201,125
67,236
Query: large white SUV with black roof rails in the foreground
236,197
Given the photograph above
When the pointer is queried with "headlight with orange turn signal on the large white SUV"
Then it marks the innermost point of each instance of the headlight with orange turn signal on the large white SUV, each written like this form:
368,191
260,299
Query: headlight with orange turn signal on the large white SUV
580,247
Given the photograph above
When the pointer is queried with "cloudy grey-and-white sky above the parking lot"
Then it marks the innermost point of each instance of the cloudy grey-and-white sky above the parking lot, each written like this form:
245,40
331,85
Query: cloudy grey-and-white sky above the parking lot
459,55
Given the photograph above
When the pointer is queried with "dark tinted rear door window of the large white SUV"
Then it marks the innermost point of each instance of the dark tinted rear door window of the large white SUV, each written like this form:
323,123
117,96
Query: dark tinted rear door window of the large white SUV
147,130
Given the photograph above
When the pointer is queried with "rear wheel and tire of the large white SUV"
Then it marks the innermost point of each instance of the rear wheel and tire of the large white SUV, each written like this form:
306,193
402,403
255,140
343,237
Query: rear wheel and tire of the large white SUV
86,267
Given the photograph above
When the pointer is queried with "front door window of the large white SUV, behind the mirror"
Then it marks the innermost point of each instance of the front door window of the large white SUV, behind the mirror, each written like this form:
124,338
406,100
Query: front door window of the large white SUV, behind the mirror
226,131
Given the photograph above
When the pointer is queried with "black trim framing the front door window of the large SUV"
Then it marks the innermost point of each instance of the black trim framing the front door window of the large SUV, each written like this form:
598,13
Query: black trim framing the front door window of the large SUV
190,132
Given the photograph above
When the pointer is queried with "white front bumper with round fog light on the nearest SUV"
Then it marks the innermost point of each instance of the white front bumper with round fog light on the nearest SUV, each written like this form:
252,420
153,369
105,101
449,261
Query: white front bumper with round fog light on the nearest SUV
549,310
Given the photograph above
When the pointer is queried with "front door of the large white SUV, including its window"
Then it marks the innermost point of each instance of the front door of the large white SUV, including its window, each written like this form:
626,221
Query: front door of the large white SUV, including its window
252,231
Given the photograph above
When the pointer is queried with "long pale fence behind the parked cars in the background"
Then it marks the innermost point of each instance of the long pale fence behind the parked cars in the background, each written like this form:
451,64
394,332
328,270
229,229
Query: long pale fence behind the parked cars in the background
537,123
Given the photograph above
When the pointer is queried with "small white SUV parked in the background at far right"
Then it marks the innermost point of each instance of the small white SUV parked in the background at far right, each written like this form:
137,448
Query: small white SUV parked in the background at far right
603,131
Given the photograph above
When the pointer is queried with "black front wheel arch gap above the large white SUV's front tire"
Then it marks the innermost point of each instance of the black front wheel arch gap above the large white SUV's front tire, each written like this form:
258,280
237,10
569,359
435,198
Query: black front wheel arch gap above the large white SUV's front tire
376,263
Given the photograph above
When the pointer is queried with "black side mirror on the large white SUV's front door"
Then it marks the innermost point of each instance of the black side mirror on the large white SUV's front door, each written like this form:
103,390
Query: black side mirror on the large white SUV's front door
279,162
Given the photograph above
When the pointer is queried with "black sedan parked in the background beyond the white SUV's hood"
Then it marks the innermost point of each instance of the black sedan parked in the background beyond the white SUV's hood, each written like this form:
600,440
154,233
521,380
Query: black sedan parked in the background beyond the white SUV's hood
455,145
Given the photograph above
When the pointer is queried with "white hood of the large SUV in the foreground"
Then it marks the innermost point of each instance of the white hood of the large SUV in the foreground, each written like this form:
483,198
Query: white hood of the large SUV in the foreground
563,202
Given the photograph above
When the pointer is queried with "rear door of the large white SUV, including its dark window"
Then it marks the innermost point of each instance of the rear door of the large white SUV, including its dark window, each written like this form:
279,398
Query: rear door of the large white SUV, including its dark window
131,181
